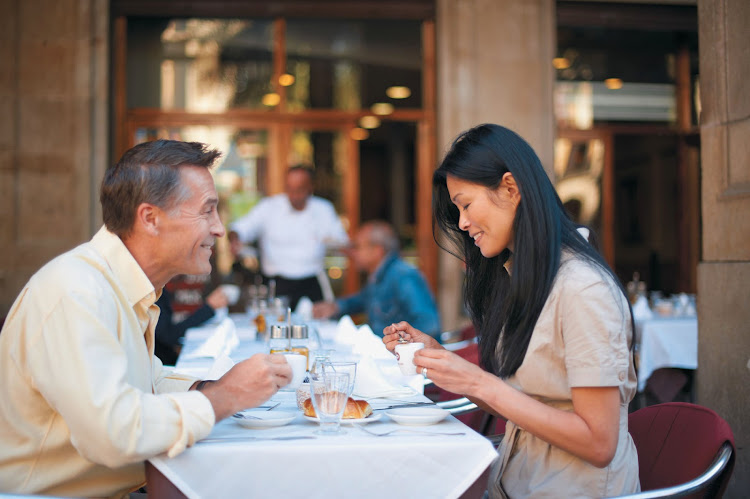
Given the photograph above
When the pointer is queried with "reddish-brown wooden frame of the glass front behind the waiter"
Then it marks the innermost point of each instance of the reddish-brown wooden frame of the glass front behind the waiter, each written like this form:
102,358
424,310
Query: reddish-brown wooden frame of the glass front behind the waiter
280,123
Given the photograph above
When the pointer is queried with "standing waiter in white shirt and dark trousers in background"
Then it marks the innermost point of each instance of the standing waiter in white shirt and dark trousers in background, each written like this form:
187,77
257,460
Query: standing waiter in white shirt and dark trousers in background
293,229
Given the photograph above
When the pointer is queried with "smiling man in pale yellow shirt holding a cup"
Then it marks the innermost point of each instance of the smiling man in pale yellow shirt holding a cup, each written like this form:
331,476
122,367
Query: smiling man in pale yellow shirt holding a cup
84,400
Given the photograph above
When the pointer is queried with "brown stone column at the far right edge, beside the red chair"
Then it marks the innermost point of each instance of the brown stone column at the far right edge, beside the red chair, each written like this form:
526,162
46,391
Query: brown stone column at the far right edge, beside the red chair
724,271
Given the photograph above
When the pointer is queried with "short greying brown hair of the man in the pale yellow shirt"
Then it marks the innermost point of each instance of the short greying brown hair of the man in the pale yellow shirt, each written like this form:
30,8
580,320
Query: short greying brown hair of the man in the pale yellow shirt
148,173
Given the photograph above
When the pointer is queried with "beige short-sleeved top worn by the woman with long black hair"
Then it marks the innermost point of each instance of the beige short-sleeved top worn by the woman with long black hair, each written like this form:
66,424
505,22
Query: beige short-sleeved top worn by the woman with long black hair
581,339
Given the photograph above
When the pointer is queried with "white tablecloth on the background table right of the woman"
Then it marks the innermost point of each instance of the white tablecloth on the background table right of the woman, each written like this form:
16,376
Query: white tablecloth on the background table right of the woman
666,342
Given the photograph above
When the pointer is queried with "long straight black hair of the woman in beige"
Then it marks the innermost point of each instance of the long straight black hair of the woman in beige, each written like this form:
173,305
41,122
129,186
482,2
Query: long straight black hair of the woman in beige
499,302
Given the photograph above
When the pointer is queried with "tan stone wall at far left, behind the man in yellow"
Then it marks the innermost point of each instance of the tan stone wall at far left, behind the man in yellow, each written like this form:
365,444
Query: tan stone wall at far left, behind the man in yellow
53,134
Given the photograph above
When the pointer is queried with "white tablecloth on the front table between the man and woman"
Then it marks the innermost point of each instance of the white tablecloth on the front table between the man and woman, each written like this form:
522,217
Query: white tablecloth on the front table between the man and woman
353,464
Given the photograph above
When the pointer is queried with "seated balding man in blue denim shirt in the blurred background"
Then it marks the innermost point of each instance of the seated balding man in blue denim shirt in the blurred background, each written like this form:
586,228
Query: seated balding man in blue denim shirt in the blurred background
395,290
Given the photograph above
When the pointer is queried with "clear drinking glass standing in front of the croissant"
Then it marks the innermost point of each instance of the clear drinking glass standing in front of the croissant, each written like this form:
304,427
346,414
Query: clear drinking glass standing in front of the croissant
328,393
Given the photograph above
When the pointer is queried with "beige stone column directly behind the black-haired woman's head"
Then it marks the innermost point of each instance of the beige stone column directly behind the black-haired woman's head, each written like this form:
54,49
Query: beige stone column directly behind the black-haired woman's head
494,61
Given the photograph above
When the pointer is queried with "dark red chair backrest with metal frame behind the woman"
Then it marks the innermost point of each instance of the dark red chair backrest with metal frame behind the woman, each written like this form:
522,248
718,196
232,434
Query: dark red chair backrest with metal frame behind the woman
677,442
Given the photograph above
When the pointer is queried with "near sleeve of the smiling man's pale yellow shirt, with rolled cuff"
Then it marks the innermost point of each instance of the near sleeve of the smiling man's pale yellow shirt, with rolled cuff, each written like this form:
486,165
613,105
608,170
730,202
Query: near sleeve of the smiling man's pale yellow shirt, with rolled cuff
89,364
